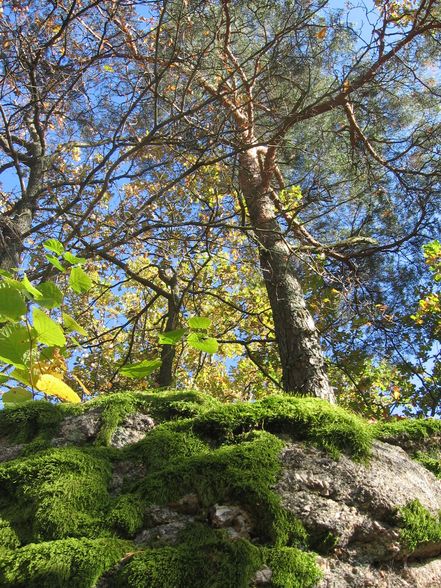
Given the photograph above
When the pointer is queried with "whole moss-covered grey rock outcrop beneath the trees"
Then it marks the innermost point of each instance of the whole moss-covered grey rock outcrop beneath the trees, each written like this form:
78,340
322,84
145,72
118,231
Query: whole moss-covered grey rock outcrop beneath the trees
170,490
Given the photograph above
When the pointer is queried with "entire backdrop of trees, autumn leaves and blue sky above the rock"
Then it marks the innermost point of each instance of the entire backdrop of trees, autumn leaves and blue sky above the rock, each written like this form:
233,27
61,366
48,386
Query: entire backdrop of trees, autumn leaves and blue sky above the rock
269,169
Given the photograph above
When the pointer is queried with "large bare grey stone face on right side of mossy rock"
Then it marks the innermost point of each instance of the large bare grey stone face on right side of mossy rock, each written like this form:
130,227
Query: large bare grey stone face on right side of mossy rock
356,504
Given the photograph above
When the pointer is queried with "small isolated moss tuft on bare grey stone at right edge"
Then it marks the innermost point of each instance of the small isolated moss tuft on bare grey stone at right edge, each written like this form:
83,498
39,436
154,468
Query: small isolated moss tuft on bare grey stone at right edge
418,526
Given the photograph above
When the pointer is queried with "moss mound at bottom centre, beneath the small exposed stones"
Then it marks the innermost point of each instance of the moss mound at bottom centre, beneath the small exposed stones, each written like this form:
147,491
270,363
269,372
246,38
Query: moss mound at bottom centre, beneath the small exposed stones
207,559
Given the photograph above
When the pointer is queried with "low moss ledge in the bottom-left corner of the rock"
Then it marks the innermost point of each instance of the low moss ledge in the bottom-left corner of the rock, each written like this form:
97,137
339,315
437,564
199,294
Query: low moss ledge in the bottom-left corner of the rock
73,563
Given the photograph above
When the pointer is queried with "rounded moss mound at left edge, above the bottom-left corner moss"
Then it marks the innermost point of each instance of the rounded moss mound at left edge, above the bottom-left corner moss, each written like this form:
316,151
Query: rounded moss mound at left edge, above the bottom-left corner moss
55,494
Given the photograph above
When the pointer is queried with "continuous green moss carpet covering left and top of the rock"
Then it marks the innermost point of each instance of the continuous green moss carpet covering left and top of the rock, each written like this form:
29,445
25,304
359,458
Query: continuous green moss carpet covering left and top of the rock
63,524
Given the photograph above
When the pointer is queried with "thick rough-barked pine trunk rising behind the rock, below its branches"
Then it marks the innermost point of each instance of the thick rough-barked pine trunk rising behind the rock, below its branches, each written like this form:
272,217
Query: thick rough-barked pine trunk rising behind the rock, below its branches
301,356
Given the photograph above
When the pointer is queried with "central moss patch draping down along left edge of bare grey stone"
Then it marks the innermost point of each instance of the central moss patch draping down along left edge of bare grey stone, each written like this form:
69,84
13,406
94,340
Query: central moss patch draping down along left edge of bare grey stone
243,473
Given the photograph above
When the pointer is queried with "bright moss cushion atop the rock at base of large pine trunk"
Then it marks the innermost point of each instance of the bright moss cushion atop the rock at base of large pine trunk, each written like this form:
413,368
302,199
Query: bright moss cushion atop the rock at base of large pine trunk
304,419
